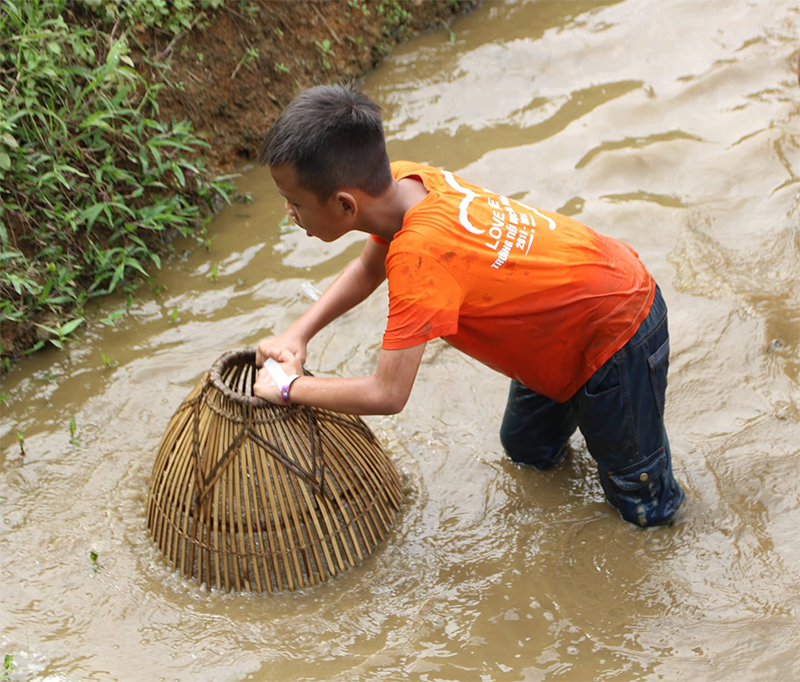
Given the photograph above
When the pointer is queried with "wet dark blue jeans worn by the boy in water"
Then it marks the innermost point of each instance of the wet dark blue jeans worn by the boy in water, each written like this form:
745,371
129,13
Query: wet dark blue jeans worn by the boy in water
620,412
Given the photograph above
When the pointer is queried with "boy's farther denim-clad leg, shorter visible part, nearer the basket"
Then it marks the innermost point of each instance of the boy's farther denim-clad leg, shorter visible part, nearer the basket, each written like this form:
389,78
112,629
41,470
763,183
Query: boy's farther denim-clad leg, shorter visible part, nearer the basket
535,429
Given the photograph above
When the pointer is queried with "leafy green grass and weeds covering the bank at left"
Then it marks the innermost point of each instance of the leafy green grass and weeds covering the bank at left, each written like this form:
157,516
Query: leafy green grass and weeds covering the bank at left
92,183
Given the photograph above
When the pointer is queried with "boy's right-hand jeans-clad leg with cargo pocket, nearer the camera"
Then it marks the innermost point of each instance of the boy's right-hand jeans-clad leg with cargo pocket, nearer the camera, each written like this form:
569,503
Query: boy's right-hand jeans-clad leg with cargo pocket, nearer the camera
620,412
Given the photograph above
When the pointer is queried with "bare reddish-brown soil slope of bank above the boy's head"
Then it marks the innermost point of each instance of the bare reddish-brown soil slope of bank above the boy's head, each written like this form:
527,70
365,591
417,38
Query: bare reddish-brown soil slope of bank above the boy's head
240,71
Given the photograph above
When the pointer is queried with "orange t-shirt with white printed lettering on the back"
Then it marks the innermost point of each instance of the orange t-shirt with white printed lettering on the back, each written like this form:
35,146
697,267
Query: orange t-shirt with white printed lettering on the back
528,292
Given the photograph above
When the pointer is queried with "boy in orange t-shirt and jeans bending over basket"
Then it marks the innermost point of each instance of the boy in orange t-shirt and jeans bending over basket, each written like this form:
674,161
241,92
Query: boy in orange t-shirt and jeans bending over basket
572,317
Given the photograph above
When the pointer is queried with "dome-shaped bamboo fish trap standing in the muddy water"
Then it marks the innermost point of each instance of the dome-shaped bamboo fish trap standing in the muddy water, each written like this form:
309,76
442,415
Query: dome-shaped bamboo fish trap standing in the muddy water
247,495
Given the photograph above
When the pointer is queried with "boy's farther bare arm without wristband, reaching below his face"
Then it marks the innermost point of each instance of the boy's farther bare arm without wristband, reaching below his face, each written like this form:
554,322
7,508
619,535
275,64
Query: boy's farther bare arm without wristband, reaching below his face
357,281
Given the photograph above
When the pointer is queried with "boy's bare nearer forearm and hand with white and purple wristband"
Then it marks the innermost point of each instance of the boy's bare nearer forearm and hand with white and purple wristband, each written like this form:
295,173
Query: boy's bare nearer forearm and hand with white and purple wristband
385,392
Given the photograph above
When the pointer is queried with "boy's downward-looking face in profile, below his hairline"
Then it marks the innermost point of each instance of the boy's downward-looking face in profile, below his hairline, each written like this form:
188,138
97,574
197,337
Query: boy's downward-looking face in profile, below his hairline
319,219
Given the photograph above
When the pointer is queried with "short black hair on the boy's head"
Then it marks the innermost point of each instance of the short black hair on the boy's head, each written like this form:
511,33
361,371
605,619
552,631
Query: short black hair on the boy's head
333,137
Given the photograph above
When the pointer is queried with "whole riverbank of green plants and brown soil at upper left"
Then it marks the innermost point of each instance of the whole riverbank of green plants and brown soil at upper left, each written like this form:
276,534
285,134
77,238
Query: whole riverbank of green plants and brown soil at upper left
119,128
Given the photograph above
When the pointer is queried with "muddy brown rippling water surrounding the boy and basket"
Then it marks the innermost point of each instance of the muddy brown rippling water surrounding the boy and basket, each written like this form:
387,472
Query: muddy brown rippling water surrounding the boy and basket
674,126
